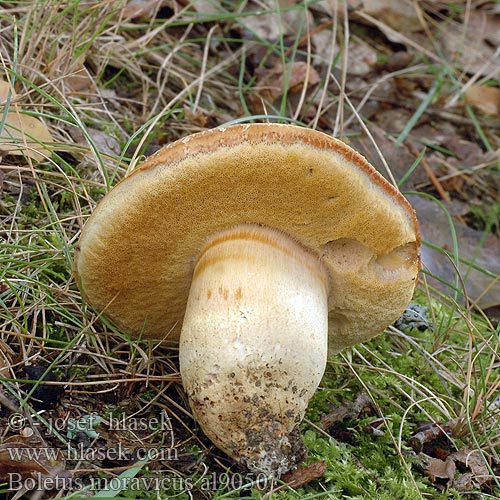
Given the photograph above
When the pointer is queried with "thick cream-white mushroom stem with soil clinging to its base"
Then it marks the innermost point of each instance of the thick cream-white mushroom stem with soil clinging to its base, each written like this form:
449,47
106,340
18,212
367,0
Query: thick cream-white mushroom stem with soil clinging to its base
253,345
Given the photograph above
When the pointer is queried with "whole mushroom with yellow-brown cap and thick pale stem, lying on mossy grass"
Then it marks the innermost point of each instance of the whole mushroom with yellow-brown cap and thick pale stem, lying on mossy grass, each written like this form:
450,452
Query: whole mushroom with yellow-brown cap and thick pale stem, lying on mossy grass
259,249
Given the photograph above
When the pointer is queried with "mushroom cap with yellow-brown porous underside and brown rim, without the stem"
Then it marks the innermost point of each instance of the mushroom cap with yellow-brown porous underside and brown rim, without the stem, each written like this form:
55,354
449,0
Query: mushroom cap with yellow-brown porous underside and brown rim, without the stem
136,254
